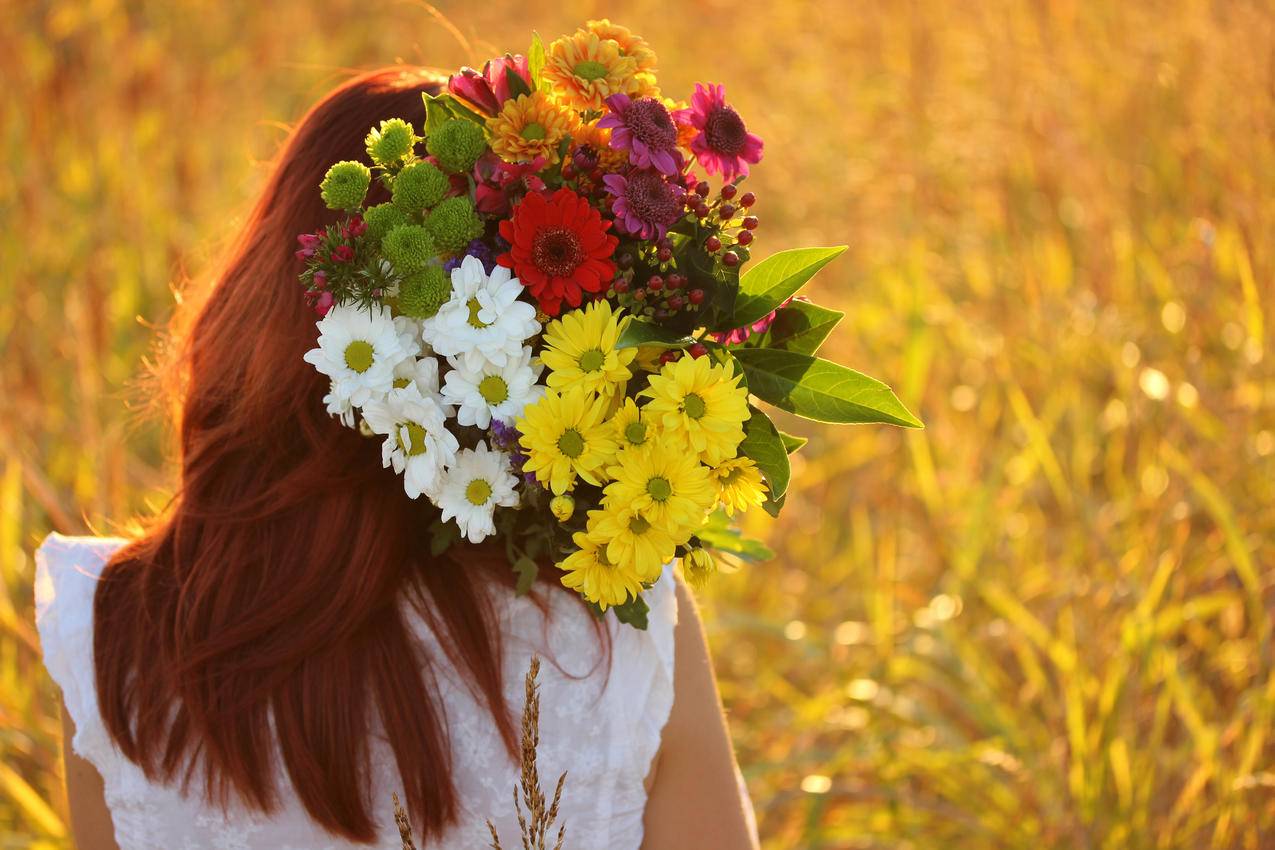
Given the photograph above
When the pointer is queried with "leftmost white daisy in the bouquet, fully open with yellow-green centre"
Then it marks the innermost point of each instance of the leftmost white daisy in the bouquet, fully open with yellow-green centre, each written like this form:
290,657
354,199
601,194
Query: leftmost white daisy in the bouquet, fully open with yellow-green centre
358,350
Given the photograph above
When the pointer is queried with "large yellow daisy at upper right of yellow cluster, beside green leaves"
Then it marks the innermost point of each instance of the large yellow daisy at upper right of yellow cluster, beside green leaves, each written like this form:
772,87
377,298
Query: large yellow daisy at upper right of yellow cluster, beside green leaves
703,403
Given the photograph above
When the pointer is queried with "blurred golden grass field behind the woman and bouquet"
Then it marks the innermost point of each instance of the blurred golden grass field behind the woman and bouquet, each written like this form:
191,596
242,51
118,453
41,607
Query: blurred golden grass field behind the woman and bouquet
1044,623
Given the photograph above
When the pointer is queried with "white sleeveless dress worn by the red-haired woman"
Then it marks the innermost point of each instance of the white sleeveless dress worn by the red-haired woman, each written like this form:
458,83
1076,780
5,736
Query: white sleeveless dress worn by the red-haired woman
604,732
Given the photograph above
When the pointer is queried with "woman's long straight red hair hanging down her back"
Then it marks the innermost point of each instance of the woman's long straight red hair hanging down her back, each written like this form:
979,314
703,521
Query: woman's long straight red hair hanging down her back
272,587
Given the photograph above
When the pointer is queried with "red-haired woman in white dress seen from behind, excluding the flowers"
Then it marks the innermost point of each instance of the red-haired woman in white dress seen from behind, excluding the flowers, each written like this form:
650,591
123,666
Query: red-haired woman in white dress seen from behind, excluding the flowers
282,652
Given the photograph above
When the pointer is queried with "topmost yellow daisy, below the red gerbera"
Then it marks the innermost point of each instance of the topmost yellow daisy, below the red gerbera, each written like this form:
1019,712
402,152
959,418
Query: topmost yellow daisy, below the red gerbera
581,350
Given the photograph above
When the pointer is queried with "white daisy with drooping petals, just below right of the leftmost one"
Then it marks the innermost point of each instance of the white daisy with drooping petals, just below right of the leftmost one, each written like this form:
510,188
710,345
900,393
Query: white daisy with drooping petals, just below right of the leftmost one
418,442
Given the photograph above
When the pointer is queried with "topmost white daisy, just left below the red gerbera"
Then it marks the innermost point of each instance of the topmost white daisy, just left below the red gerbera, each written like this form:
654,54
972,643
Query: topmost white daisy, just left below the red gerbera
484,318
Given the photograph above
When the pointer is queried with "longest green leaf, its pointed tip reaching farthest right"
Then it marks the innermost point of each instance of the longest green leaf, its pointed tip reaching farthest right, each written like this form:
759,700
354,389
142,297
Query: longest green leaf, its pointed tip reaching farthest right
820,391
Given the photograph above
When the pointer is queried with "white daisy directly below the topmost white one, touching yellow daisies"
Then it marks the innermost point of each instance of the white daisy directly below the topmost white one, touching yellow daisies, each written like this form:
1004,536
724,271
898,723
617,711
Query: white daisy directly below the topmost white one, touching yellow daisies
499,392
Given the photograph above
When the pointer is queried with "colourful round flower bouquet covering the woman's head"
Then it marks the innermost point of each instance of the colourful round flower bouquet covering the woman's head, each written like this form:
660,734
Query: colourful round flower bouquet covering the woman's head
554,324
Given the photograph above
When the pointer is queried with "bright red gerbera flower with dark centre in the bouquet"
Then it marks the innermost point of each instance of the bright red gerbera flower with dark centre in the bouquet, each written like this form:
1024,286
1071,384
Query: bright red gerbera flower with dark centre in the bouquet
559,249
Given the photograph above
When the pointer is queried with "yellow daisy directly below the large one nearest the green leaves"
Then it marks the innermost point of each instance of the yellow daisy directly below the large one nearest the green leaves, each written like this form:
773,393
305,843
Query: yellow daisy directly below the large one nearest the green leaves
664,481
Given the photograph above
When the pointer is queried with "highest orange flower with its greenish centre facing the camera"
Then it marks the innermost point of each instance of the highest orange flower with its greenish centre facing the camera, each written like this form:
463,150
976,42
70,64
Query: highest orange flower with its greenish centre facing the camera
585,71
